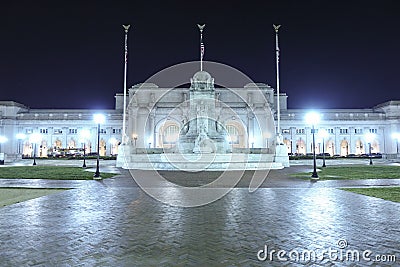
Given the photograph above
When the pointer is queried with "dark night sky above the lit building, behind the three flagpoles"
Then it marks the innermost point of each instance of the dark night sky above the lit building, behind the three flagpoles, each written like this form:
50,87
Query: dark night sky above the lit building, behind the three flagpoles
69,54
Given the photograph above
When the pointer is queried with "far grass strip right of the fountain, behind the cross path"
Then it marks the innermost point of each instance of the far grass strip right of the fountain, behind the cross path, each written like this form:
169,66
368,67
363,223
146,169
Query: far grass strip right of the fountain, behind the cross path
354,172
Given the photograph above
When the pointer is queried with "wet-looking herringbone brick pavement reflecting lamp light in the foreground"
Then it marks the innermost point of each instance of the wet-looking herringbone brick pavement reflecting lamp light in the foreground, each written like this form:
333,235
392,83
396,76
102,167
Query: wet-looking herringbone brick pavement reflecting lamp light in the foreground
114,223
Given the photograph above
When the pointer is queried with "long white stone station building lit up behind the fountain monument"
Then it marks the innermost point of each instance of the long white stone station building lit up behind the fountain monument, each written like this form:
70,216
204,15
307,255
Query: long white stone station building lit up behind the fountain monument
152,124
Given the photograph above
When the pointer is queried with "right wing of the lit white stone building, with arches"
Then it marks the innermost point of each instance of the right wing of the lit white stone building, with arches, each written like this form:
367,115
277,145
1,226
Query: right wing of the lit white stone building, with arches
347,130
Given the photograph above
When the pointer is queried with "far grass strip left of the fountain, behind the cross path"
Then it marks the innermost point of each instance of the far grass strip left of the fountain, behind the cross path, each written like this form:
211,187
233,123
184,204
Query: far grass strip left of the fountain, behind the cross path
49,172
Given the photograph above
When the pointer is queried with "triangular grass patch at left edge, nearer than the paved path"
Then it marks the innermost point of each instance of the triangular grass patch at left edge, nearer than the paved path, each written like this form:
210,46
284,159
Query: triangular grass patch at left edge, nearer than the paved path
10,196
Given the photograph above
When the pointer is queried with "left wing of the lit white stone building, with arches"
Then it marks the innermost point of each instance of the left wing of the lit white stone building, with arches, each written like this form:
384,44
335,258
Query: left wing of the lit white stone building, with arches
58,131
